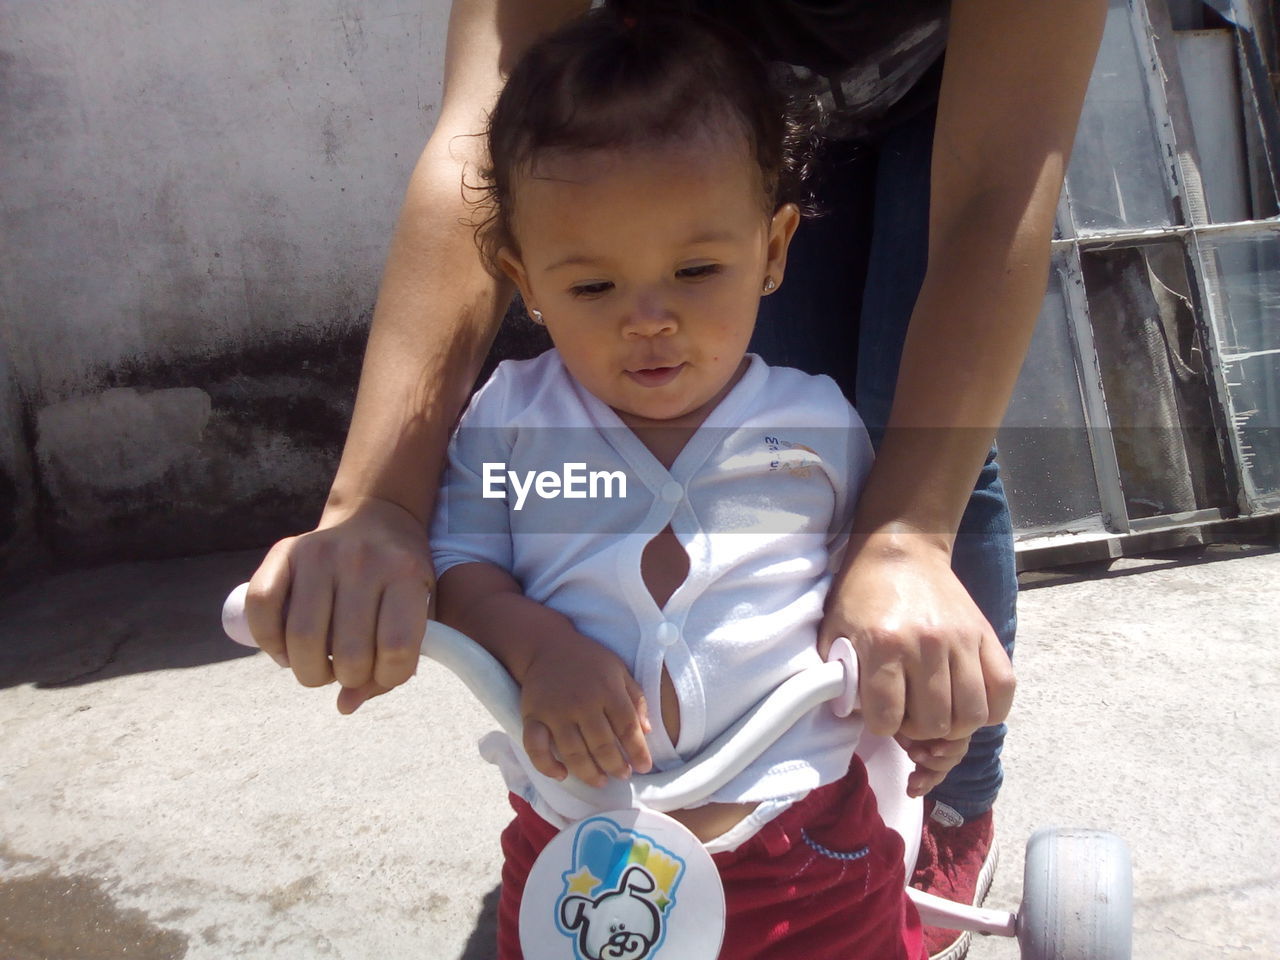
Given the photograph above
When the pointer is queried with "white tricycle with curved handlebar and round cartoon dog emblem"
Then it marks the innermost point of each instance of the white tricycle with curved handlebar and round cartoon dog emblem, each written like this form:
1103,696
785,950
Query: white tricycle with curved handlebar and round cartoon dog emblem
629,883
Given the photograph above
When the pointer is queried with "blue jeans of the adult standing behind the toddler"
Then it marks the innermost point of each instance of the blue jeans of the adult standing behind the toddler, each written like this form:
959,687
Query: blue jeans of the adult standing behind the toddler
852,281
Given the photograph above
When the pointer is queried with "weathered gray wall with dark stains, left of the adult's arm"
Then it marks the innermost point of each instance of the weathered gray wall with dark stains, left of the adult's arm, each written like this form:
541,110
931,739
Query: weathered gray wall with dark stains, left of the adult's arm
196,204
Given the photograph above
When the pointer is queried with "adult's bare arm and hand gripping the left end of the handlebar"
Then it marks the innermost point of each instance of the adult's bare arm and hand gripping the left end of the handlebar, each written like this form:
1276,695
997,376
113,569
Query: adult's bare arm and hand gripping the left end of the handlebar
358,586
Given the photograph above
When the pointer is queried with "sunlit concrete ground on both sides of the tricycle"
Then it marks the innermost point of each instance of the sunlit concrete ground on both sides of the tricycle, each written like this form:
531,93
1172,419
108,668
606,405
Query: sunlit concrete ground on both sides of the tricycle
167,794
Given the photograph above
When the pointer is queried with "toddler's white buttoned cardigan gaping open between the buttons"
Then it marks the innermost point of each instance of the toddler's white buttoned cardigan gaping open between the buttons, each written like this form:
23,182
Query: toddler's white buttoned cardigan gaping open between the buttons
761,499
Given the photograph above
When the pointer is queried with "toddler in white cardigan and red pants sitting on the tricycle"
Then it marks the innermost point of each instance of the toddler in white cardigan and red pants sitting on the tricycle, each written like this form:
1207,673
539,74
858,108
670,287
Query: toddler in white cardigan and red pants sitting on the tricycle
642,524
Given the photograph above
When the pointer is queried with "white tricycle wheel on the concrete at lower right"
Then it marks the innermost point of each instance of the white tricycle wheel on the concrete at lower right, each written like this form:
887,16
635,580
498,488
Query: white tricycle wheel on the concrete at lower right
1077,898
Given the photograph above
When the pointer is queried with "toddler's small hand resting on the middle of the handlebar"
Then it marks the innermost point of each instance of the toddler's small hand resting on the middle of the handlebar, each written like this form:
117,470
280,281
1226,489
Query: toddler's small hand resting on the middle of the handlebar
584,714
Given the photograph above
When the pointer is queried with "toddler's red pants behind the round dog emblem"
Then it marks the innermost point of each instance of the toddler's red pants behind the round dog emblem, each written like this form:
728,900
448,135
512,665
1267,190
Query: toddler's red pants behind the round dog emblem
824,881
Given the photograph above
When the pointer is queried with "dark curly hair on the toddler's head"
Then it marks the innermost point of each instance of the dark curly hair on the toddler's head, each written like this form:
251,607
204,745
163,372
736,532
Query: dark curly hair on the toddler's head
611,81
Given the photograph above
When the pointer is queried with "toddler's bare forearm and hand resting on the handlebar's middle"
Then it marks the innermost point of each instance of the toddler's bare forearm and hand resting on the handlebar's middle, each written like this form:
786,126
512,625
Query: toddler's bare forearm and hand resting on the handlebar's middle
584,712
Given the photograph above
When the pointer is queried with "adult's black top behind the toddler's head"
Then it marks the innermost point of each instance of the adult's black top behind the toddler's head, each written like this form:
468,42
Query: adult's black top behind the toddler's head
868,62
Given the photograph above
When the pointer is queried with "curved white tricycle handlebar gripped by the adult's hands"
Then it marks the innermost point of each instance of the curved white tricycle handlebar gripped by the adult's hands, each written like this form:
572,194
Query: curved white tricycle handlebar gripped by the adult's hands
671,790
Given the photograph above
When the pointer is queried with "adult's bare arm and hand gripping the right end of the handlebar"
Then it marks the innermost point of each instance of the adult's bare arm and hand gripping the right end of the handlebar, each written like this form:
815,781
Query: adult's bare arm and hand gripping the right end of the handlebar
1013,88
